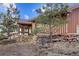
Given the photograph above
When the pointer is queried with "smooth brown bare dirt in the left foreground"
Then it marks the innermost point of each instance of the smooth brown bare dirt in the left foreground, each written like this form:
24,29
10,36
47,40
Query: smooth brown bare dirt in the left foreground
17,49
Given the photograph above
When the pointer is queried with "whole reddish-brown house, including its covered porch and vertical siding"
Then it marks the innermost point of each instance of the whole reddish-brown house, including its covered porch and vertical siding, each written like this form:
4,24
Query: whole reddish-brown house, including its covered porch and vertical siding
72,26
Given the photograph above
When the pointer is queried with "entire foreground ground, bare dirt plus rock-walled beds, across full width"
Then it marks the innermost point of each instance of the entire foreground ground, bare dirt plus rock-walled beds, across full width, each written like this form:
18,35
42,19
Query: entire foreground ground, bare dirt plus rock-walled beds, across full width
60,45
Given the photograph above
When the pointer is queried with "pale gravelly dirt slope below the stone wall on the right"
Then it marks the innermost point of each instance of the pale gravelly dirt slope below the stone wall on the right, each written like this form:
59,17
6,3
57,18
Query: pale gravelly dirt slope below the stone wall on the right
62,49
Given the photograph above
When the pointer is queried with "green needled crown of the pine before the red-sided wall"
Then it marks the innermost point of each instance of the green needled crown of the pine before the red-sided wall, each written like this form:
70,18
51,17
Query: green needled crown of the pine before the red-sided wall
55,13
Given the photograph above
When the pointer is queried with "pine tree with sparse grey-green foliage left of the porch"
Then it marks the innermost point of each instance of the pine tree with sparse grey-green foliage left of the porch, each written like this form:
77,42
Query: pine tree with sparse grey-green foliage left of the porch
9,20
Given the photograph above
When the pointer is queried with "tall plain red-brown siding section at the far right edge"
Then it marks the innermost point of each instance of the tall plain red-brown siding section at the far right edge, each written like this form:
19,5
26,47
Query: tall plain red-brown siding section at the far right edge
73,20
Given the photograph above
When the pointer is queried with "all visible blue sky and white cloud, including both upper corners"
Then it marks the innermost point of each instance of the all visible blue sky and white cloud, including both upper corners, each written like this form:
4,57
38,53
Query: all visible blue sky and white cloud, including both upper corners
26,9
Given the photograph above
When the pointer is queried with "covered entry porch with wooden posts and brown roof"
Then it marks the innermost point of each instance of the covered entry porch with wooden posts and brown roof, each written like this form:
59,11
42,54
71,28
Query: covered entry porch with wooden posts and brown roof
26,26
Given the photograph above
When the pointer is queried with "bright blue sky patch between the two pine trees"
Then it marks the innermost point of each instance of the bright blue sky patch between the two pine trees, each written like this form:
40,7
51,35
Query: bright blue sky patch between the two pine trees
27,9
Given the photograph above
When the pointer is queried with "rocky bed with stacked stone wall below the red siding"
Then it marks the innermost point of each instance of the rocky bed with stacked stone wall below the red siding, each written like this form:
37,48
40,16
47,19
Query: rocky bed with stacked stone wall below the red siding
59,45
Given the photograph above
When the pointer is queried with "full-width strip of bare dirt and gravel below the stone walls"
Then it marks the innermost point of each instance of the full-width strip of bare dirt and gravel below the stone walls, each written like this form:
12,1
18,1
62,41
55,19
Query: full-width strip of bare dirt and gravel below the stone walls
26,49
